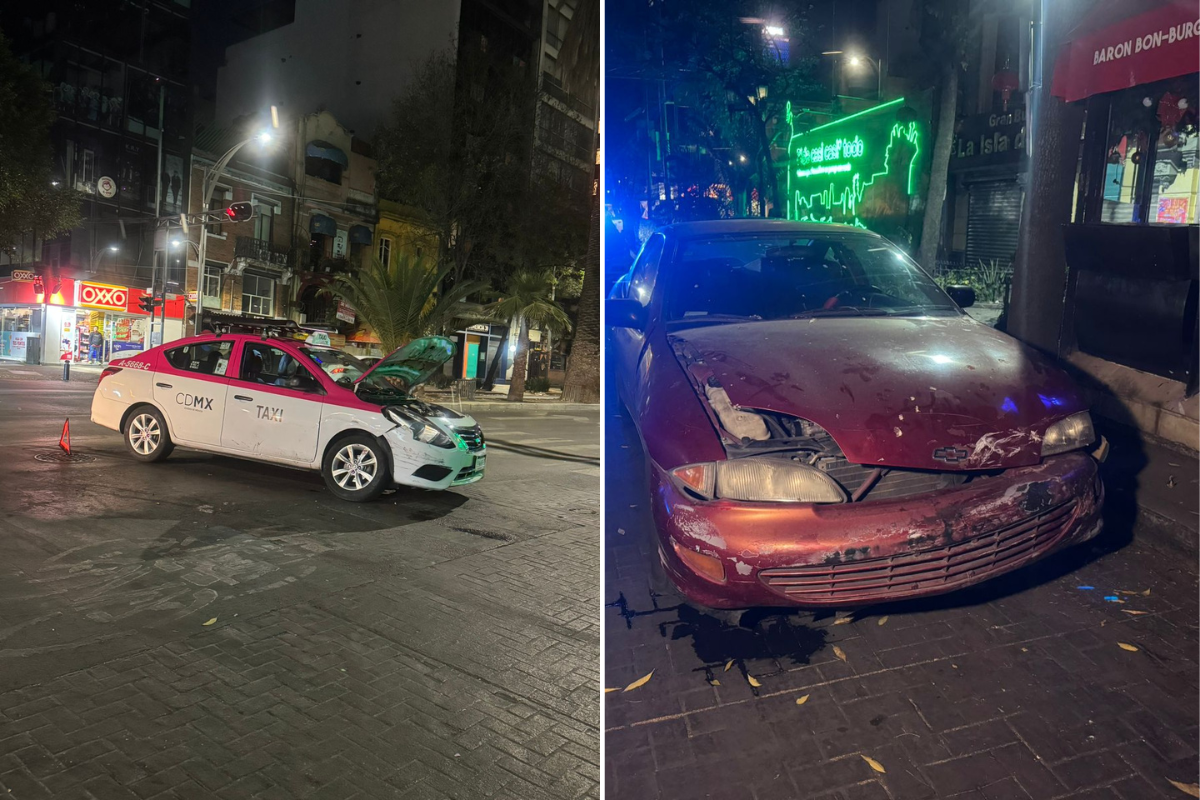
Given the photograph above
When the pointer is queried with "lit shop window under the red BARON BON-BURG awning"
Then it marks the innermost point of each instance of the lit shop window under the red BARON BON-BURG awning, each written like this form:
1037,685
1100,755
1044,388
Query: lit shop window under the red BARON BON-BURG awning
1153,157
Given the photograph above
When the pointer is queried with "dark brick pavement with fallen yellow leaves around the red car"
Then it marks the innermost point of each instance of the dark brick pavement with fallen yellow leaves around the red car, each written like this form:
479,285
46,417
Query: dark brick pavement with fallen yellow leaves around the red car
1017,690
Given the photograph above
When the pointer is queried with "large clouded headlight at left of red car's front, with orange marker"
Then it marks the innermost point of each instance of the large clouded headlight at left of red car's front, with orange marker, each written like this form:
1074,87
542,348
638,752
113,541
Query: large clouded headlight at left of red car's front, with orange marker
761,480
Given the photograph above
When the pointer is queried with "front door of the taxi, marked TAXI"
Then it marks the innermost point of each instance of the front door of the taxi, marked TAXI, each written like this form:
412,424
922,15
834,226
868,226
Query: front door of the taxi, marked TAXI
275,405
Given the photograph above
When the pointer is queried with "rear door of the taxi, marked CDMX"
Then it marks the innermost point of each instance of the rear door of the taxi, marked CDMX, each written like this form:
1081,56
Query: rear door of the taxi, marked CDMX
190,387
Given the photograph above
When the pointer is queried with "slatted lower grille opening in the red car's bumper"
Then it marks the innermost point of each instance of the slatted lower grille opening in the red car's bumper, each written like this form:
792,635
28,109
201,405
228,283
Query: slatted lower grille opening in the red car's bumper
937,569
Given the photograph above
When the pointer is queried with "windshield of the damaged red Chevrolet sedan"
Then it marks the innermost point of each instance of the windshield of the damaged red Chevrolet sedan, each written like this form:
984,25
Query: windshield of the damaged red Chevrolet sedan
764,276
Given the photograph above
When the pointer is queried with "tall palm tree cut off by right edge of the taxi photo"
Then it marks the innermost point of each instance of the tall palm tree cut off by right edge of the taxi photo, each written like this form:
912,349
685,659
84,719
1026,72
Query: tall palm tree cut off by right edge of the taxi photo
580,58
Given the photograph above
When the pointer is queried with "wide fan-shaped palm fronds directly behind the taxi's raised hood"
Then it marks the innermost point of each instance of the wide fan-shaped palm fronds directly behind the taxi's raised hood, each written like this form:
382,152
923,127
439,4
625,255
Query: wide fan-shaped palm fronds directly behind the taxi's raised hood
404,300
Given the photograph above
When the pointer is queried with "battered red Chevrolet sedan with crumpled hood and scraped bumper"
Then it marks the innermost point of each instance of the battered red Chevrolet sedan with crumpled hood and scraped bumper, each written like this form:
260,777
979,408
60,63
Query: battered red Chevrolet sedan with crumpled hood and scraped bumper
826,428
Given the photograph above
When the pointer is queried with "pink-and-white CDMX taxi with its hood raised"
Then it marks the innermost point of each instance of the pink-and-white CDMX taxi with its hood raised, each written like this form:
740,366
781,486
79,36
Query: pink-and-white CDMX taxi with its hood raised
273,400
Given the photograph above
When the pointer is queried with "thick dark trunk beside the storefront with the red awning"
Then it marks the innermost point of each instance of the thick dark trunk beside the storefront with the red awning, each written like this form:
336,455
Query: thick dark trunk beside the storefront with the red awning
1040,274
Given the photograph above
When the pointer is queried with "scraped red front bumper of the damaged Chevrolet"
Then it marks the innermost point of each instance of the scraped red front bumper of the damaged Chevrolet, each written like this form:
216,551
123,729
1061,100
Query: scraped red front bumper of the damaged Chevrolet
862,554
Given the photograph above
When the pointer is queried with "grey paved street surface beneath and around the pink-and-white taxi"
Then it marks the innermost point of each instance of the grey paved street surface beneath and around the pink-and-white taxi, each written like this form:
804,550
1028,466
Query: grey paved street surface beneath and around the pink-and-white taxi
425,646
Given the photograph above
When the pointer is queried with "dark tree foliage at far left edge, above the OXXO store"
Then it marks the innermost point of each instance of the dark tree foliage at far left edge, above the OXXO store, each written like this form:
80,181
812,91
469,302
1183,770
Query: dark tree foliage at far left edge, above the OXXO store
29,204
